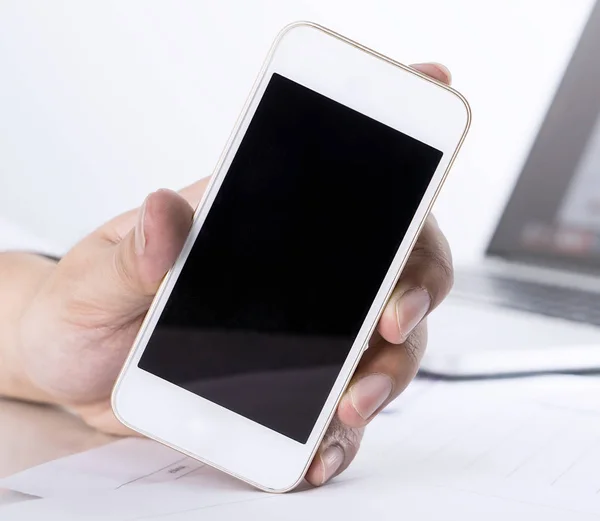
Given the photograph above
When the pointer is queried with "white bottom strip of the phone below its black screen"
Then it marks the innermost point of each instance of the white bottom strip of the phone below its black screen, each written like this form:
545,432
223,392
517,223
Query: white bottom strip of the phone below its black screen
212,434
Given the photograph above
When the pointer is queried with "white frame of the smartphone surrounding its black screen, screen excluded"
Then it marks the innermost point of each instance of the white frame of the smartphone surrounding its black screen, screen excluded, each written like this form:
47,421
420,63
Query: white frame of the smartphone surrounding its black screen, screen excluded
369,83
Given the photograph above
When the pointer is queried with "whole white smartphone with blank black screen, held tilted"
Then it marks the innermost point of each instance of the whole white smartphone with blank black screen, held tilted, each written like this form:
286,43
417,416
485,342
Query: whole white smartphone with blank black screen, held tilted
298,242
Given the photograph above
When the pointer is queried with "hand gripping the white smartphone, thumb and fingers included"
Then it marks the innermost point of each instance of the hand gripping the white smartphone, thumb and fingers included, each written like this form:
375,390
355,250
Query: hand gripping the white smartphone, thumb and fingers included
77,330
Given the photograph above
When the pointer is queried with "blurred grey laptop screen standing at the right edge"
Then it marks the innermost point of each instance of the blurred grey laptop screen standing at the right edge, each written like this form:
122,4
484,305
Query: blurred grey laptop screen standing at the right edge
553,214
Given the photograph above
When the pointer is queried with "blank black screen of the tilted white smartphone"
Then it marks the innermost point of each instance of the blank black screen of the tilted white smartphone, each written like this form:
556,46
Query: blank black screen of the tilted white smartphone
289,259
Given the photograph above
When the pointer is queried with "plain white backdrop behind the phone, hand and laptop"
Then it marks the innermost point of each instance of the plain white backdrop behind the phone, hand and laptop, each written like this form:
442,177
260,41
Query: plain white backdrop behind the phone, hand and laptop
102,102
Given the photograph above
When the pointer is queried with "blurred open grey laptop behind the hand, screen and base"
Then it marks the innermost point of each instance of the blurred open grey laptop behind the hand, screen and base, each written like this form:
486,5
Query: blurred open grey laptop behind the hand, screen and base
533,304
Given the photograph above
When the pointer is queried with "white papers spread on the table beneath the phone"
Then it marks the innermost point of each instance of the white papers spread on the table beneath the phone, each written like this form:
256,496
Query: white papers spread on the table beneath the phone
515,449
